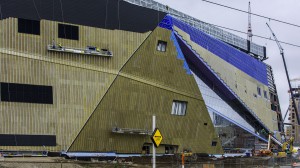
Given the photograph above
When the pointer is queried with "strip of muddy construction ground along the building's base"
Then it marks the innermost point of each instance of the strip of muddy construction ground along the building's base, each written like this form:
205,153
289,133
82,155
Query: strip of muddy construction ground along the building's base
58,162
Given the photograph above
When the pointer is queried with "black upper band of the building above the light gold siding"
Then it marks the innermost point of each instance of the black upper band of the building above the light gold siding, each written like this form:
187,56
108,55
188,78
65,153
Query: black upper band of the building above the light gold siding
109,14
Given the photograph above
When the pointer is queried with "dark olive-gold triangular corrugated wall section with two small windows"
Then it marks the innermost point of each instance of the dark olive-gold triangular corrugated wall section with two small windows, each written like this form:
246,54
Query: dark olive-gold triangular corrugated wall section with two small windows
147,85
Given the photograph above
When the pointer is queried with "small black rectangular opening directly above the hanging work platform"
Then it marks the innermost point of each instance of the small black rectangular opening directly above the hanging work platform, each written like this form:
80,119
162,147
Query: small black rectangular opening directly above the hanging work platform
68,32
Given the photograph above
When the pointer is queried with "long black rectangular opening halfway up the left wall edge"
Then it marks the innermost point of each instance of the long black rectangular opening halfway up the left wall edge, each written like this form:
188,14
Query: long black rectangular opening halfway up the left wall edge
13,92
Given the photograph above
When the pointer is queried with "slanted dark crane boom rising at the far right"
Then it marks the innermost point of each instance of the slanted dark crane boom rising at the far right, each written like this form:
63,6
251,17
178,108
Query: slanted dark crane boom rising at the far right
287,74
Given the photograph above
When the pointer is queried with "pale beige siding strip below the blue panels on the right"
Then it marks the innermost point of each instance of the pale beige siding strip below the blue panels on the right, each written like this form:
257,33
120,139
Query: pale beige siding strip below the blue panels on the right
240,83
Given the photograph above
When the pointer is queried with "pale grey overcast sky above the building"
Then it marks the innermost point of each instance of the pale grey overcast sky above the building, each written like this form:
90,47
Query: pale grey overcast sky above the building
285,10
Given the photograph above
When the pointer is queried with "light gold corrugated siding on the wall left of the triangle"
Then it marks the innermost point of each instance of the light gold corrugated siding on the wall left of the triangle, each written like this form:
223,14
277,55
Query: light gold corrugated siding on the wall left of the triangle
79,81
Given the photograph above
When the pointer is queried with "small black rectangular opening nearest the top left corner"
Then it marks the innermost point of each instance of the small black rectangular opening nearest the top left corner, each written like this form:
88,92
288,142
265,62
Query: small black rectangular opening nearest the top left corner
28,26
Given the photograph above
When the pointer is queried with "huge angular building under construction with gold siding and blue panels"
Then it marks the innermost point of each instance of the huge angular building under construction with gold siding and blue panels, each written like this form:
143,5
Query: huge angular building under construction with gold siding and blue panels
87,76
